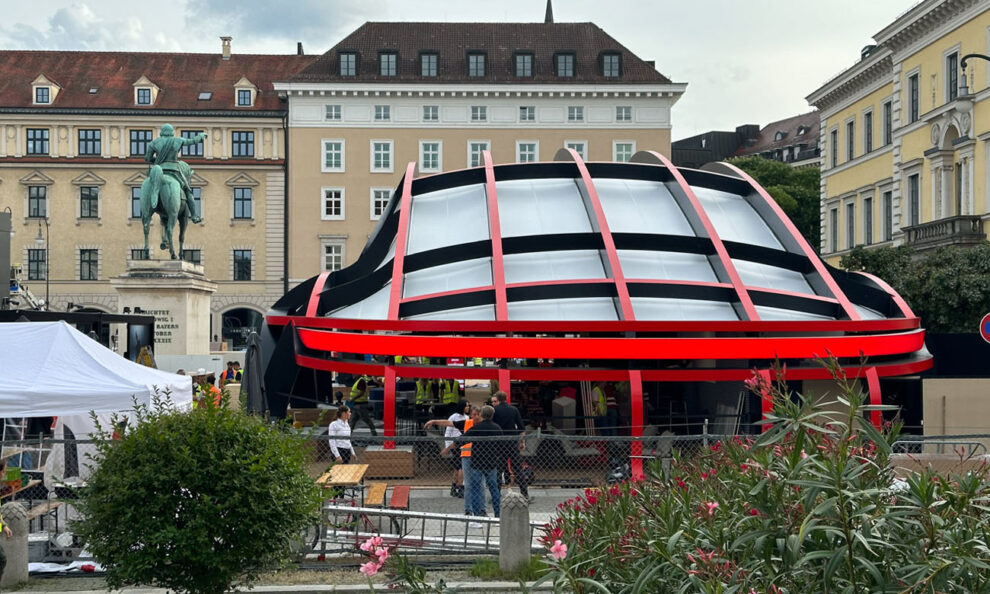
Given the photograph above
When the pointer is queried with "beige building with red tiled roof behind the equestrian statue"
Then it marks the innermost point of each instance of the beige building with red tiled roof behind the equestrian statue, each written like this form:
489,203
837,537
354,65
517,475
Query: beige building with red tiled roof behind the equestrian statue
73,131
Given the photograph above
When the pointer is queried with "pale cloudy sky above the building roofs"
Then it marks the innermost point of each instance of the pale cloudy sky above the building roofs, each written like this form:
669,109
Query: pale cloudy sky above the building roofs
745,61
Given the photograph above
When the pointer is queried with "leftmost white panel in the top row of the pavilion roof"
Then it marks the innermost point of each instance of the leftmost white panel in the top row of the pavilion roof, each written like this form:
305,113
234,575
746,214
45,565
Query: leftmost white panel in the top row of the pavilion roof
448,217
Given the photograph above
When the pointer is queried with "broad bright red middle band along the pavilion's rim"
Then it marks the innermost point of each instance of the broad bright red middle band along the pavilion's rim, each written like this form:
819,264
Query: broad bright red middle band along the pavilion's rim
786,347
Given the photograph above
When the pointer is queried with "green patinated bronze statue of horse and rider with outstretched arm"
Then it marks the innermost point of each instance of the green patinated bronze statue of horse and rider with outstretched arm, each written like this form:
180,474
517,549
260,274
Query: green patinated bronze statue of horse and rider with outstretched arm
166,190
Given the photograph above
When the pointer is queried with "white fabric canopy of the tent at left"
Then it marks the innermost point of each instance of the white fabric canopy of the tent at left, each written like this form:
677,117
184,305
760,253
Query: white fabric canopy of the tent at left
52,369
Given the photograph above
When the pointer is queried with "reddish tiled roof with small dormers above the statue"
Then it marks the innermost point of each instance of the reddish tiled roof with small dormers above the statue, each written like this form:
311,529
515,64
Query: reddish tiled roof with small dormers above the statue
181,78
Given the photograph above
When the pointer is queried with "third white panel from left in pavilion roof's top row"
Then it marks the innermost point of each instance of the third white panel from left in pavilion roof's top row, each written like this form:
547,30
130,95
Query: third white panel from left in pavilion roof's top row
635,206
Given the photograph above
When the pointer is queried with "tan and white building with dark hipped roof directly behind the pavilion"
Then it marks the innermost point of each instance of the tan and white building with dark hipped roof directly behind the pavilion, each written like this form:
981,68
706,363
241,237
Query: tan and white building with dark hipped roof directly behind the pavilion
440,94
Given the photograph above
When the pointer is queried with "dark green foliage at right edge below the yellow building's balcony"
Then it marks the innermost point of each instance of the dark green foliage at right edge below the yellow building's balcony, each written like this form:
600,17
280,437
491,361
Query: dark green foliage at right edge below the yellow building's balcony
948,288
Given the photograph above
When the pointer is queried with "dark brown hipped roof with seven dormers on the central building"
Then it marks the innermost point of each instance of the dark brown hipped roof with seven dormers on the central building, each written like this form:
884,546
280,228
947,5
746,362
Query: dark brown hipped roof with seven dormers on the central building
499,41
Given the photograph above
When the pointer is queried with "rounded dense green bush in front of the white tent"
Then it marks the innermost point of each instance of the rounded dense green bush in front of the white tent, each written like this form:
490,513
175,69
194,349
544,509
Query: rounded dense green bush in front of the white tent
196,501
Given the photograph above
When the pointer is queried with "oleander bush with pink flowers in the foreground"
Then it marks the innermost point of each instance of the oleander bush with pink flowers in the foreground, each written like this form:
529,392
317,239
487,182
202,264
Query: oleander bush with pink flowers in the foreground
811,505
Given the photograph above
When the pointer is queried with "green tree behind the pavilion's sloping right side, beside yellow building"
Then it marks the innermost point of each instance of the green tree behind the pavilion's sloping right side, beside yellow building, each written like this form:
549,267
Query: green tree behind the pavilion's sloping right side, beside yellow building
797,191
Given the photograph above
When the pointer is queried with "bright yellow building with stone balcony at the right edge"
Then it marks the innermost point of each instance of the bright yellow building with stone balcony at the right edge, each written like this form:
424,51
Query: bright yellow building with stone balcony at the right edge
904,147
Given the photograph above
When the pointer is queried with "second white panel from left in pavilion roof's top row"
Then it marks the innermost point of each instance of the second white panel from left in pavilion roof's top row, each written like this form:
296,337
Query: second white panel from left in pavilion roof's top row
540,206
